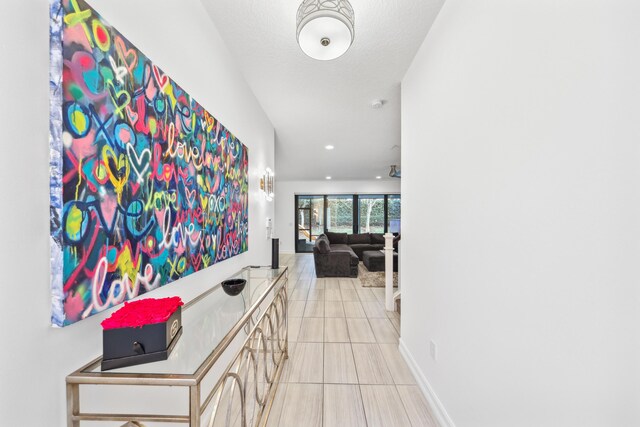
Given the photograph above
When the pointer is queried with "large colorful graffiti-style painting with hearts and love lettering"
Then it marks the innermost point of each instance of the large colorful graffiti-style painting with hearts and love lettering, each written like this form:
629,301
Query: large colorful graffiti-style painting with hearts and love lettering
146,185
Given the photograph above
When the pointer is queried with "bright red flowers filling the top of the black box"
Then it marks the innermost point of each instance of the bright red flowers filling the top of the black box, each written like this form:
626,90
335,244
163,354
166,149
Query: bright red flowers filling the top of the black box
136,314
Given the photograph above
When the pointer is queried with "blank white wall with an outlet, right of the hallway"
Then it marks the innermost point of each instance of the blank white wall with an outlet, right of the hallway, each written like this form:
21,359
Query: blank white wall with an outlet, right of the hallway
521,212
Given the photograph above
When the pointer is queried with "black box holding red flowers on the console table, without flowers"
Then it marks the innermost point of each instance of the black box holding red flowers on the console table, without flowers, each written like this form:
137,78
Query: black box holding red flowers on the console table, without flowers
133,346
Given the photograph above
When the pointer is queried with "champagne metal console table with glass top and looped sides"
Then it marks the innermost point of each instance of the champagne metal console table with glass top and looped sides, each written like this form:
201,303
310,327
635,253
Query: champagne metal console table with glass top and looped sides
224,369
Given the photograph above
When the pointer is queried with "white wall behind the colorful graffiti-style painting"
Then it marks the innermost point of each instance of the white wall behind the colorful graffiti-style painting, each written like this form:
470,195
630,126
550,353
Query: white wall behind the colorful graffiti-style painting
179,37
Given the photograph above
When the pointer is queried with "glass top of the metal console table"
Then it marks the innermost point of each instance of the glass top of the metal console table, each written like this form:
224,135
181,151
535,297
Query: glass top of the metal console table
206,321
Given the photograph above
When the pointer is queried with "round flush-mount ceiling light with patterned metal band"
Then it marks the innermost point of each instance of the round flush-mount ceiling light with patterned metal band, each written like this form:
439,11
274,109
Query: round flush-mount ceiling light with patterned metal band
325,28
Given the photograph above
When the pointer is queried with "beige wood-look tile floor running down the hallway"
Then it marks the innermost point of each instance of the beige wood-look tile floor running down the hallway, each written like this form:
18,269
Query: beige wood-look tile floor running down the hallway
344,367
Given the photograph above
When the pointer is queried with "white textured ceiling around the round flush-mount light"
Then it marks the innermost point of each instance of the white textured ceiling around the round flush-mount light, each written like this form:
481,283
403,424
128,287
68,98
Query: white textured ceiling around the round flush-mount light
315,103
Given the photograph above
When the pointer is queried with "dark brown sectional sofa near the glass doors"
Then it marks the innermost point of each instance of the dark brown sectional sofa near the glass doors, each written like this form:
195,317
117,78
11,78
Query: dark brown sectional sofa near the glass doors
338,254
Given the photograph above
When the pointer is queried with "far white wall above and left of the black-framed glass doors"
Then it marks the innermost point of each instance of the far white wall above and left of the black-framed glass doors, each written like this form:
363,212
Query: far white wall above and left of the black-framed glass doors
285,197
